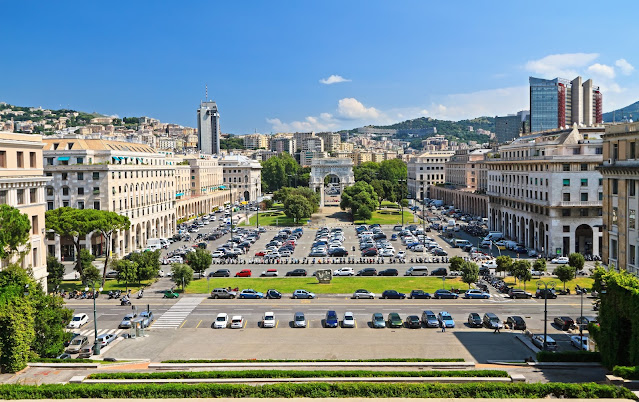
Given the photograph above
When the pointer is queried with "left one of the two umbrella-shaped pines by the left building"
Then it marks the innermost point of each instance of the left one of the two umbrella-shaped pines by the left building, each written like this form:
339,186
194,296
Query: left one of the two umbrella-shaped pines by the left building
71,222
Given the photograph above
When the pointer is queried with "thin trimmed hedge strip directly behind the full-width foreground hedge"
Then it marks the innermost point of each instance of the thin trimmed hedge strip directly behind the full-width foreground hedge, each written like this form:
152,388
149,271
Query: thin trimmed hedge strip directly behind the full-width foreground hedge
296,374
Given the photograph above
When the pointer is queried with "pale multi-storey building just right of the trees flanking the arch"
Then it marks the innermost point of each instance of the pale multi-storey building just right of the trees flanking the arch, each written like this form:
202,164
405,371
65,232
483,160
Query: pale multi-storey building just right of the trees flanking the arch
426,170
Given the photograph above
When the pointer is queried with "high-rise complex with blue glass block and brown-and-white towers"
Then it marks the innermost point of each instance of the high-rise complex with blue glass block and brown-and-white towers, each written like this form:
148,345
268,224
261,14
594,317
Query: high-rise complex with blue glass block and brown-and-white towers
561,103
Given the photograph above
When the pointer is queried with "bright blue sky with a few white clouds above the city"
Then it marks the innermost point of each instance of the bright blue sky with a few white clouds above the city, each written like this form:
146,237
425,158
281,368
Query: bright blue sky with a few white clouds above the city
264,62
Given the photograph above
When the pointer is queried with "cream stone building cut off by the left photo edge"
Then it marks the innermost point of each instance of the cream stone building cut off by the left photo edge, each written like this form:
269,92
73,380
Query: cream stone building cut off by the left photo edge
22,184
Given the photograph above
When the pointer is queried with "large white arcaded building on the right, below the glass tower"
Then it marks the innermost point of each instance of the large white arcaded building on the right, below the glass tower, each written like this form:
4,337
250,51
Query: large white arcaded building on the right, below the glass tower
545,191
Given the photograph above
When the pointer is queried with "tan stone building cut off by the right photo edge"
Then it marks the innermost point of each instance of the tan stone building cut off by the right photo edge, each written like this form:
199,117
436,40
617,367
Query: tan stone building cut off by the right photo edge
620,171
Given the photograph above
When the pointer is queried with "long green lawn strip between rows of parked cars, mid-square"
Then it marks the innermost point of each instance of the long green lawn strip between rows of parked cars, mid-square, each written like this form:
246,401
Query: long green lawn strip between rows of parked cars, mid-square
337,285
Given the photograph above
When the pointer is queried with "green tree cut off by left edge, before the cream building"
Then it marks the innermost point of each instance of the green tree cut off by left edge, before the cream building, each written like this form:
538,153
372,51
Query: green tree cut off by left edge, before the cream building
15,230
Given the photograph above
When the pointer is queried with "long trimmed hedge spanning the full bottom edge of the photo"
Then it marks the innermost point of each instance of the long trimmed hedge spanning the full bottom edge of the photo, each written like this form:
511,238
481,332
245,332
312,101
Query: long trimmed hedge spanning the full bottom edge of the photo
314,390
